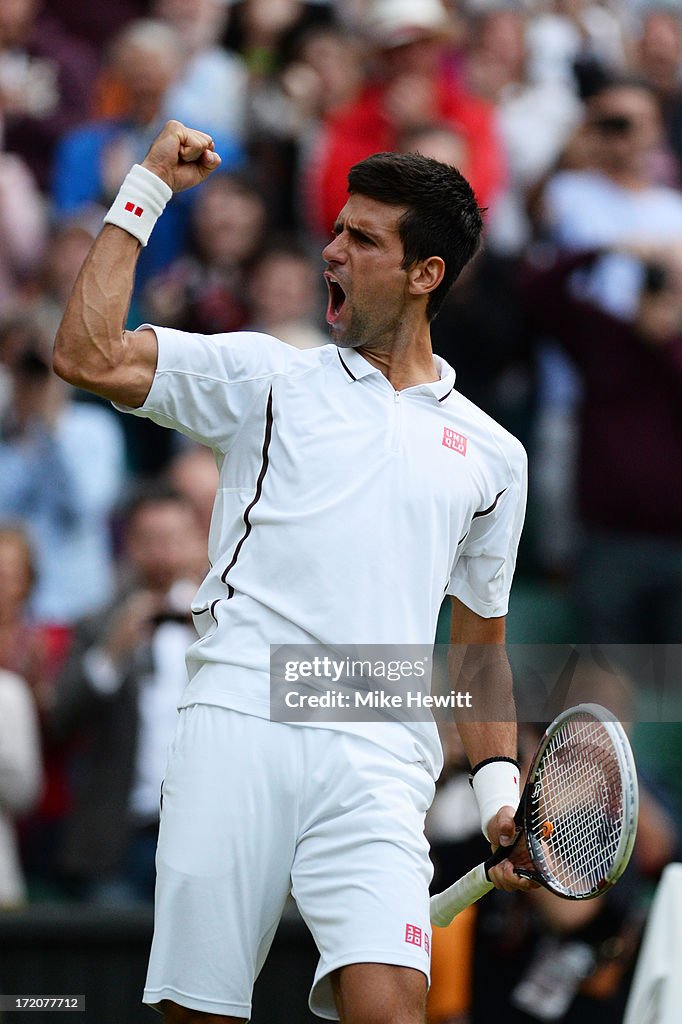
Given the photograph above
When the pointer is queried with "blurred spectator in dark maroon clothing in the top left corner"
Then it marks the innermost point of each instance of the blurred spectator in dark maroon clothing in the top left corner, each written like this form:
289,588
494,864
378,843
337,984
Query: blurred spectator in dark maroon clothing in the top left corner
47,76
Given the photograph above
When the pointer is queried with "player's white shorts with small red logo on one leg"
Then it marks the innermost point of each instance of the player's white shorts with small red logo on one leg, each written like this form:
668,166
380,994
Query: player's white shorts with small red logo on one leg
253,810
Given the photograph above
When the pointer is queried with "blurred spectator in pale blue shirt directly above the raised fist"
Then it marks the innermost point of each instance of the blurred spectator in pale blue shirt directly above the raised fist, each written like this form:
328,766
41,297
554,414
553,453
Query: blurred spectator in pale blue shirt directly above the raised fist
211,90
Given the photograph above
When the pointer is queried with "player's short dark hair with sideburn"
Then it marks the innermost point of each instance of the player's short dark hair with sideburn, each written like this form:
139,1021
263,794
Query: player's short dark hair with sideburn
443,218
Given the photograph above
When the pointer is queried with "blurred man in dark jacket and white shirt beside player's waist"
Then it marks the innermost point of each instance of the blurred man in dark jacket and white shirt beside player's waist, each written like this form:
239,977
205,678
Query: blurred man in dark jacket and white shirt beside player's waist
118,695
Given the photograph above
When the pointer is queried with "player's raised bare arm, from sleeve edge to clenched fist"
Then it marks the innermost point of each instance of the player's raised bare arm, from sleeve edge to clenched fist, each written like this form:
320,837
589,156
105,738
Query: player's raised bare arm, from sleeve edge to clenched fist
93,349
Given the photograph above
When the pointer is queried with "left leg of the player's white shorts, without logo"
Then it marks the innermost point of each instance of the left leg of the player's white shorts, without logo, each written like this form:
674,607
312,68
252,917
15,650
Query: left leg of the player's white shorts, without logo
226,847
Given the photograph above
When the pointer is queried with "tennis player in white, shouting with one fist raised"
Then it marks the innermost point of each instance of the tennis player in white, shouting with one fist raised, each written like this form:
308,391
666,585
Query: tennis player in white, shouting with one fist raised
357,489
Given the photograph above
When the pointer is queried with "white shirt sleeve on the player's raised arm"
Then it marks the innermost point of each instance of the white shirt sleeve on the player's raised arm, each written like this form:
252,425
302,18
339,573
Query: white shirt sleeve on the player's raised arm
205,386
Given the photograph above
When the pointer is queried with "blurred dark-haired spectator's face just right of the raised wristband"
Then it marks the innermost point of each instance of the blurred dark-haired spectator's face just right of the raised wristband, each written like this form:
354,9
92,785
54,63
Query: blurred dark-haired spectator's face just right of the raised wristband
229,223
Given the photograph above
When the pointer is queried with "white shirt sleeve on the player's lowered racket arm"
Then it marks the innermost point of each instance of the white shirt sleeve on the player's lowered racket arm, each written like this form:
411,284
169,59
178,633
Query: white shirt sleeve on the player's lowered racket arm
484,571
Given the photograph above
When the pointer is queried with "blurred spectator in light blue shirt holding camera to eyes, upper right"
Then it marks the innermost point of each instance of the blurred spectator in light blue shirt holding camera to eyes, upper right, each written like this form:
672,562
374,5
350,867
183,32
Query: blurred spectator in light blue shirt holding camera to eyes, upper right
614,201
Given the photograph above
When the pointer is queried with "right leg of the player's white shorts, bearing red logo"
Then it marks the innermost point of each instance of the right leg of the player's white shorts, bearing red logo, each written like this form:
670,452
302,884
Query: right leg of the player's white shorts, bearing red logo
362,869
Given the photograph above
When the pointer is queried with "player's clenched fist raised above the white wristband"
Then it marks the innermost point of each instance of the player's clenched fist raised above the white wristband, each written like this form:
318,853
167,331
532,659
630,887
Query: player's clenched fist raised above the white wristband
182,157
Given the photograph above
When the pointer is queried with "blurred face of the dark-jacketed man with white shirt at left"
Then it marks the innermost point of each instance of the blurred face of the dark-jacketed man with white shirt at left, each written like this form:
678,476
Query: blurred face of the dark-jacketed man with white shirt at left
161,543
